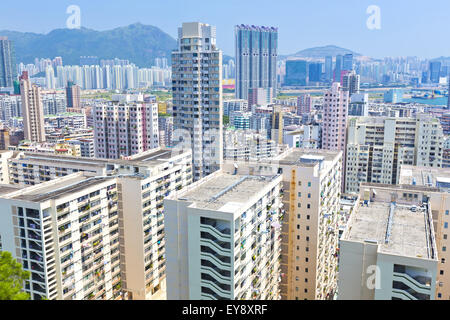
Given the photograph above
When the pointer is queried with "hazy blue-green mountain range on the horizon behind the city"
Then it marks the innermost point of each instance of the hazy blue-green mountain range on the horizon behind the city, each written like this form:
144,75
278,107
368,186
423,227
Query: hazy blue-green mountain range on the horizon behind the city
138,43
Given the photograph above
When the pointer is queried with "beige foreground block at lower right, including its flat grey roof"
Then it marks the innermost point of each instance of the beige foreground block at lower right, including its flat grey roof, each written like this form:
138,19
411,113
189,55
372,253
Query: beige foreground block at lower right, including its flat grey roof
388,250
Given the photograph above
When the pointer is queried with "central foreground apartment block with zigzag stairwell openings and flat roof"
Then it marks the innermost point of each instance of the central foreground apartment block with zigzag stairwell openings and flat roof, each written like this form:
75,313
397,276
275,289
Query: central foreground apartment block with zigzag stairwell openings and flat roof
223,238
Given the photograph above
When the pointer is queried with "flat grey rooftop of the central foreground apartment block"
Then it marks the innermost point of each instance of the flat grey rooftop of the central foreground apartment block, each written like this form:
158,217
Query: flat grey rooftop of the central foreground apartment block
226,192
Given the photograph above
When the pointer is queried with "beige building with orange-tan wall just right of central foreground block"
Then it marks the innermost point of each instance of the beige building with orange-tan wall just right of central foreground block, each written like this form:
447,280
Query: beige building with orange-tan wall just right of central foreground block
310,226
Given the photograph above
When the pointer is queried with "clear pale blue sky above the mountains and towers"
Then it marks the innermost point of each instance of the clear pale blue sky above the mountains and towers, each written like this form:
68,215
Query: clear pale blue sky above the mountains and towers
407,27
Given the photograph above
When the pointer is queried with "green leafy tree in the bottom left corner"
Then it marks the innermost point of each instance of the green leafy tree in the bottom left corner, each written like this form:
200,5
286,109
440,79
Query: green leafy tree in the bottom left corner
12,277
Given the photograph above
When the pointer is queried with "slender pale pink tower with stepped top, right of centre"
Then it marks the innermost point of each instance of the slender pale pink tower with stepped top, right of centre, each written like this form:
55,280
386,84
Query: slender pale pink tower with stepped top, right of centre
335,110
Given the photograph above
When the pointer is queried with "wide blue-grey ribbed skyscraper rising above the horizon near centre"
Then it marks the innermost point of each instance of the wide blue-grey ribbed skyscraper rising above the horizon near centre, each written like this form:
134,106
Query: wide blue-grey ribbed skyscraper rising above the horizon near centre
256,58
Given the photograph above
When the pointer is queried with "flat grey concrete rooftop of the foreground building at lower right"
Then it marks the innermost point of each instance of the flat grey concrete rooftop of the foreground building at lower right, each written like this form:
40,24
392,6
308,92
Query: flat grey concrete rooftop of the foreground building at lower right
408,234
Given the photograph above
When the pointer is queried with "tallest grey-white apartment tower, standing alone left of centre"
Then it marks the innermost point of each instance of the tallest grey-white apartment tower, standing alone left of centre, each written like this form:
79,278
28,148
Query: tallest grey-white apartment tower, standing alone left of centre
197,96
